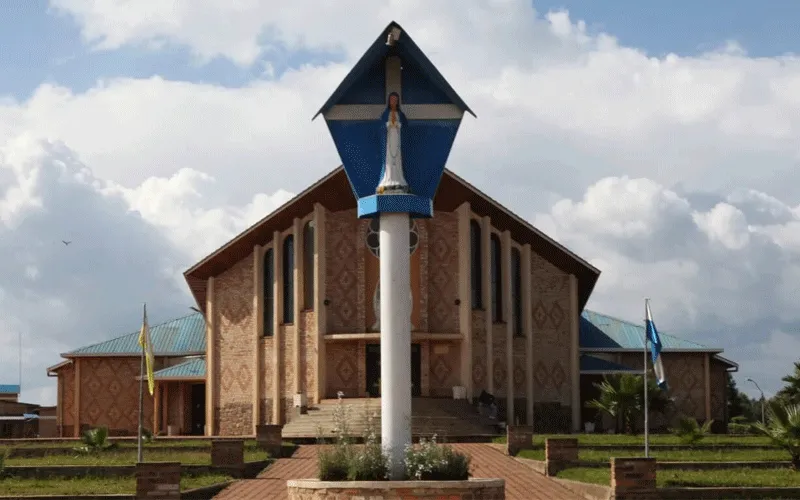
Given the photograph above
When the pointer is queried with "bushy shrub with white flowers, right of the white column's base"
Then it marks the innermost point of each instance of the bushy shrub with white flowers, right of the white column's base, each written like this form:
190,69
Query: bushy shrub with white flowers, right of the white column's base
434,462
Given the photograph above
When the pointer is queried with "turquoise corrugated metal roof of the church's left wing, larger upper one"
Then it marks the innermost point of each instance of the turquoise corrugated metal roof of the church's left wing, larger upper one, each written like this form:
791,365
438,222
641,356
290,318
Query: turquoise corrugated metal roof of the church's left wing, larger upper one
182,336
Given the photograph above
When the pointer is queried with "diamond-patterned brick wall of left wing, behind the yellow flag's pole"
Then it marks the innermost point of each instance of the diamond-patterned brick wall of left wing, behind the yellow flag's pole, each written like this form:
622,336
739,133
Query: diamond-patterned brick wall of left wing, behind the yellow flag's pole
110,395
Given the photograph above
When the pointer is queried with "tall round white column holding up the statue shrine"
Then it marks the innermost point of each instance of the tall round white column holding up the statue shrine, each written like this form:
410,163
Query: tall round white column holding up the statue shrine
395,282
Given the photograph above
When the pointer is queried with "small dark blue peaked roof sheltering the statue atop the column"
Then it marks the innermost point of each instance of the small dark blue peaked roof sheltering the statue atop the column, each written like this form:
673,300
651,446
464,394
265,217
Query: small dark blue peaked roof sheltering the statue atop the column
406,49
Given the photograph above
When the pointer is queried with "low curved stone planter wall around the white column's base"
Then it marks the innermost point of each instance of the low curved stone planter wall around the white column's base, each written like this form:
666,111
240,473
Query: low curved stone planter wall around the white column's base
472,489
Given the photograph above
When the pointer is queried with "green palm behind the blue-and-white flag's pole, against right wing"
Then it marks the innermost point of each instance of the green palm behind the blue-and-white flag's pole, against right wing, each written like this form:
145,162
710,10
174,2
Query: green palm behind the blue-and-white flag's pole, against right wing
622,397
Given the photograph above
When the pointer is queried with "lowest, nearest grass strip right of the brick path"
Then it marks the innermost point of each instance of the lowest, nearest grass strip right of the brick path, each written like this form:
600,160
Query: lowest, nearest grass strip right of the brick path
707,478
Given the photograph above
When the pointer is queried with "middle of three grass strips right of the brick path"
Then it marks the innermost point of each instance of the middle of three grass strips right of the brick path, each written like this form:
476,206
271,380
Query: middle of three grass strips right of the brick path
776,455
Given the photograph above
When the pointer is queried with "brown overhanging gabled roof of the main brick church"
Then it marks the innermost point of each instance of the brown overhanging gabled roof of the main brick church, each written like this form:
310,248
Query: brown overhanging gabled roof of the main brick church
334,192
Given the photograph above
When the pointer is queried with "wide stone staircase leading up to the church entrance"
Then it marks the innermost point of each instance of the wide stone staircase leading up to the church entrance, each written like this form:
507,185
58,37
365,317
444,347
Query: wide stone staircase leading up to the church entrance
451,420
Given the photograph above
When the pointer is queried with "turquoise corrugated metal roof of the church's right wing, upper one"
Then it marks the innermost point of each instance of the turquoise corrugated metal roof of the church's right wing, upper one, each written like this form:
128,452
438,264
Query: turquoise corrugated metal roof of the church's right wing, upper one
599,331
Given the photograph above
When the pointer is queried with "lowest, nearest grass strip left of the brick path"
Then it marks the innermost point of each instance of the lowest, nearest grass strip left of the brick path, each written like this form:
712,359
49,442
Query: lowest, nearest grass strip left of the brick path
93,485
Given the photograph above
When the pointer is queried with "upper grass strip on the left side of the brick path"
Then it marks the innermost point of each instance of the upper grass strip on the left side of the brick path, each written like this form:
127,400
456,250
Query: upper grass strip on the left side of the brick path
126,456
